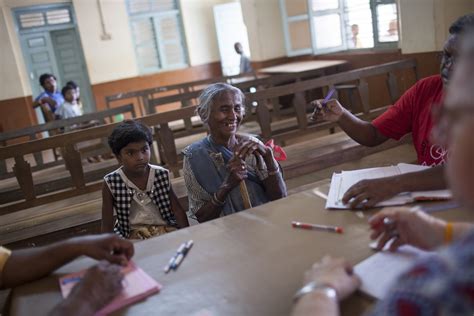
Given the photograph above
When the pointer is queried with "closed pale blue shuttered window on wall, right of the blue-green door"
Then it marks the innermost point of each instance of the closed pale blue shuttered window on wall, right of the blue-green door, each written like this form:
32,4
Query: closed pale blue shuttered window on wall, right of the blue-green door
157,34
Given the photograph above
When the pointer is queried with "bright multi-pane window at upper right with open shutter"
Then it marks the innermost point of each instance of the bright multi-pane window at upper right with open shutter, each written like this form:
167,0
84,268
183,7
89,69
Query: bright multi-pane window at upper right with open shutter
323,26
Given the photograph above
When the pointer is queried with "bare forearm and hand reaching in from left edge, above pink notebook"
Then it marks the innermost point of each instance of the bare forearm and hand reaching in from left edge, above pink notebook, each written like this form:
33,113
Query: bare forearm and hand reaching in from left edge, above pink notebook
33,263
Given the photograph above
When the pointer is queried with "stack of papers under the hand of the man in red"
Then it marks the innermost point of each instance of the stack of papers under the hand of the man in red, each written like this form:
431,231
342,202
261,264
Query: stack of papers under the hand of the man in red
341,182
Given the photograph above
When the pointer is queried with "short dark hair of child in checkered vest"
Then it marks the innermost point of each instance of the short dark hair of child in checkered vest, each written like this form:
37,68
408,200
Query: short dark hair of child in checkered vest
129,131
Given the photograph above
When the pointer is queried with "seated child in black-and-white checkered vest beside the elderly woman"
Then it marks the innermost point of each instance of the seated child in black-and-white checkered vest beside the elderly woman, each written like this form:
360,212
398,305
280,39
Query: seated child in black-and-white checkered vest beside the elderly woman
140,193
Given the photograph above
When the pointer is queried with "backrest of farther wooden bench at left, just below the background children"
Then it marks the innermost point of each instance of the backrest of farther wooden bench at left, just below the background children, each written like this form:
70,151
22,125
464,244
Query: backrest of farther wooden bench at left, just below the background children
59,126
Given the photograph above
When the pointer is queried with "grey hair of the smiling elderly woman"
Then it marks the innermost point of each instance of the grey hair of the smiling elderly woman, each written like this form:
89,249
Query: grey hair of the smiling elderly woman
207,96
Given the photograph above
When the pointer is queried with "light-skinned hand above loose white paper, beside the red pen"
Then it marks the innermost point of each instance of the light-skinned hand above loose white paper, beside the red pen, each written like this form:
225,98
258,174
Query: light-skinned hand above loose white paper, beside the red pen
406,226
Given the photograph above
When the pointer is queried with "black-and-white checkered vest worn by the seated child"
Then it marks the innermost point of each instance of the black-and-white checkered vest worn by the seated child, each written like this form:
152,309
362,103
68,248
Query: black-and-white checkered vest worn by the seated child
123,195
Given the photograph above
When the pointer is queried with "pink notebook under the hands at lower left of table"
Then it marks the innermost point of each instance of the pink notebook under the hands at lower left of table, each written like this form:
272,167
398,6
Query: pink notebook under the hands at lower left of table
137,285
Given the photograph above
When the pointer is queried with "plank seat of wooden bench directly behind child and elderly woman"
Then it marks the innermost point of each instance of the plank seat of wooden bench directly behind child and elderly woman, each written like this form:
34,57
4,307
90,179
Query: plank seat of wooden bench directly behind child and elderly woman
82,214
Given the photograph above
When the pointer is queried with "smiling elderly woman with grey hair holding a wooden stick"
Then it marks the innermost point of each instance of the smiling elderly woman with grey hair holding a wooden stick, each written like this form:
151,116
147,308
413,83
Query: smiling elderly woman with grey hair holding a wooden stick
215,166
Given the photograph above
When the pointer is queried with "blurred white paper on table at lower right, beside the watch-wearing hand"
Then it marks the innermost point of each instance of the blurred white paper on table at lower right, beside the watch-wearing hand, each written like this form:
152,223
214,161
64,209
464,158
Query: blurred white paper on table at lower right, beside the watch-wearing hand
380,271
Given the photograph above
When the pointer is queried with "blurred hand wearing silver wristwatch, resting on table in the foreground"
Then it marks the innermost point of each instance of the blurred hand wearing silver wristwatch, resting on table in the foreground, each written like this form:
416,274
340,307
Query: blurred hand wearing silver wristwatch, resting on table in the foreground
336,273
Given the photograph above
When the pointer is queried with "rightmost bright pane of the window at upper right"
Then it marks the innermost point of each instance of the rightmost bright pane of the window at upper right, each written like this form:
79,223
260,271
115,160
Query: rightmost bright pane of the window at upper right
387,22
